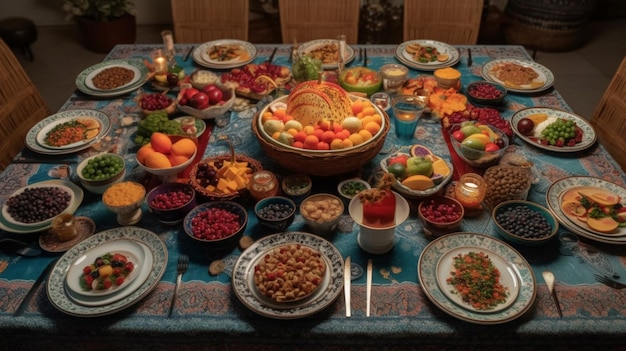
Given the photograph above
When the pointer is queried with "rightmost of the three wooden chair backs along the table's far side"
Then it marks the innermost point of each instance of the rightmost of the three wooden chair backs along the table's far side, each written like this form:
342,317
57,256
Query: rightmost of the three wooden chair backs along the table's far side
452,21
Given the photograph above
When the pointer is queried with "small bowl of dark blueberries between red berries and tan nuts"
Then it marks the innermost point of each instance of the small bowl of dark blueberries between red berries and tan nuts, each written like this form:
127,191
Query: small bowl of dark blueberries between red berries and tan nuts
275,212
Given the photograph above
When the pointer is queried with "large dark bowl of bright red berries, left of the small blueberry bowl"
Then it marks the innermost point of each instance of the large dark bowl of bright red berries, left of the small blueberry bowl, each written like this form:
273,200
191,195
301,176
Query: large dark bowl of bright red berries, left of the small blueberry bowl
216,225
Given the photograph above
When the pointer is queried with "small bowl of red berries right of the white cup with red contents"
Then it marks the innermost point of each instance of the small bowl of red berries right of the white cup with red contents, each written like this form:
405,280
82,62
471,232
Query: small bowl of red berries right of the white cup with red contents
440,215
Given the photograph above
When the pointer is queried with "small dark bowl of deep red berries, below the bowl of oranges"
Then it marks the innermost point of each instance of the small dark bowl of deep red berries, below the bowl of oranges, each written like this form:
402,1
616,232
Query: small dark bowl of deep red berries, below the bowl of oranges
170,202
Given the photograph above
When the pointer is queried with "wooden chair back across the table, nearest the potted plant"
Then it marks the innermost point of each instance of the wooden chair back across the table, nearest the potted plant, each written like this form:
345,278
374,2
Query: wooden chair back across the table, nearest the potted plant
199,21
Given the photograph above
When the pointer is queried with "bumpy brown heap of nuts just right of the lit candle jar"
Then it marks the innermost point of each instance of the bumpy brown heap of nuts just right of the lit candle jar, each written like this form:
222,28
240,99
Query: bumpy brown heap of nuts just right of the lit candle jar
506,183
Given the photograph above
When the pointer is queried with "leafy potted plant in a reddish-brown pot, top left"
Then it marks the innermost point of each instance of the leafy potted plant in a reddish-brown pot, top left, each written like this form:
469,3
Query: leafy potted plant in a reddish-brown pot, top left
103,23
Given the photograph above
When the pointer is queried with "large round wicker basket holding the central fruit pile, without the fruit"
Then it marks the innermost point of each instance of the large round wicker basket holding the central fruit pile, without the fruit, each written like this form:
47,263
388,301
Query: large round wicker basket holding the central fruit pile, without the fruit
323,164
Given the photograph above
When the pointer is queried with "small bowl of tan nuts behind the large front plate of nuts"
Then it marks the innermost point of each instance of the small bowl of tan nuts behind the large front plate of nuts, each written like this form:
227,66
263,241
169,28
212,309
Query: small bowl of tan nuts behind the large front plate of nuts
321,212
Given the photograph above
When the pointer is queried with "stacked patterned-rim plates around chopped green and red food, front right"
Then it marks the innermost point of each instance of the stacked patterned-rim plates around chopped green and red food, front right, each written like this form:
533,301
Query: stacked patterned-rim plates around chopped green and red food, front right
436,264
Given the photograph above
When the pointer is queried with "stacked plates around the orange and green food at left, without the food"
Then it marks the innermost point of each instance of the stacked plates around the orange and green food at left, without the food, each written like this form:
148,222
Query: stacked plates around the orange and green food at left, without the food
35,138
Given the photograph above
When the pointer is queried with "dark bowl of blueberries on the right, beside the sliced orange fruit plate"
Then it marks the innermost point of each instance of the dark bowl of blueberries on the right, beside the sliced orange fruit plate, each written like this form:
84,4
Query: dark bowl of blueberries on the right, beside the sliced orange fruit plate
524,222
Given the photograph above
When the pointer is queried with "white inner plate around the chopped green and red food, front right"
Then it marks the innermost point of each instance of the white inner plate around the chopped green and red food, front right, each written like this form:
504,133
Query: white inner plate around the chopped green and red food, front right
508,277
